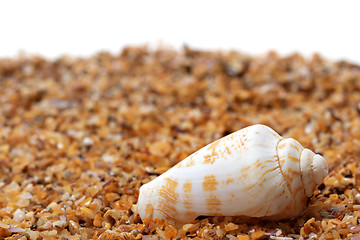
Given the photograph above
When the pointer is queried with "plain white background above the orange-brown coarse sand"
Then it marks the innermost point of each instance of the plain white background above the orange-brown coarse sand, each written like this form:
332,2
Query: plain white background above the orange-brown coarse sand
82,28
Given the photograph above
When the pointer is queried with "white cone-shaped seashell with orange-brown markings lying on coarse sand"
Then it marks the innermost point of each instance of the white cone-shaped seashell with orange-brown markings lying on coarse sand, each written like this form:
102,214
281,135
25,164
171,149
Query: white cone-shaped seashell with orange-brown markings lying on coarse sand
253,172
